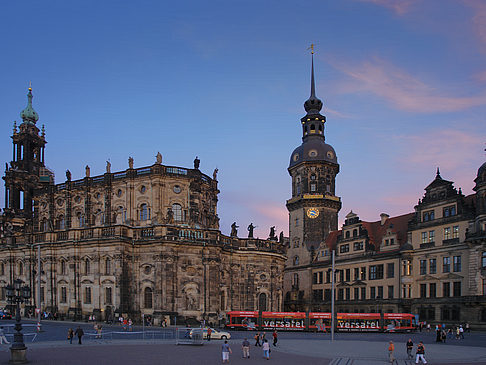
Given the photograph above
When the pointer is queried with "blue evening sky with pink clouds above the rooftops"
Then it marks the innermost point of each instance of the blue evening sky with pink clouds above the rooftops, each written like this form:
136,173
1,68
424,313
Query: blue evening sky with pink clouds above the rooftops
403,85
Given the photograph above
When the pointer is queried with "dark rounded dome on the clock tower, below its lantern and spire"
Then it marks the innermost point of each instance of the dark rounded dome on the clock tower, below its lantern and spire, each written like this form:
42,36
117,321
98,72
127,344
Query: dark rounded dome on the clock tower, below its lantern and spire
313,150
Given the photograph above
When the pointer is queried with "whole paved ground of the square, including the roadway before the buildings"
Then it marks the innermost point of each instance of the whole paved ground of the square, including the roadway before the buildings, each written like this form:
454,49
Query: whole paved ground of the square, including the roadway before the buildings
158,347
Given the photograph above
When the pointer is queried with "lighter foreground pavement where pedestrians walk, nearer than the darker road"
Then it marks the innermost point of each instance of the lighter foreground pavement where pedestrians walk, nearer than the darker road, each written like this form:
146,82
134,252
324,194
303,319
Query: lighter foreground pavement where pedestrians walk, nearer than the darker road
308,352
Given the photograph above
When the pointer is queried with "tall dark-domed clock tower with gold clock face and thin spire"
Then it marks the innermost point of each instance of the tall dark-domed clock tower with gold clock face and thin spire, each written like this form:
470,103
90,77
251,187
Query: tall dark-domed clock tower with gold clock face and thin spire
313,208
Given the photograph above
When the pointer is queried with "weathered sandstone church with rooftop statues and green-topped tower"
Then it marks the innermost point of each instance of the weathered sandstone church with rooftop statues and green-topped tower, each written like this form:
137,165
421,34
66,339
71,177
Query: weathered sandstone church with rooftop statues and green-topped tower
143,241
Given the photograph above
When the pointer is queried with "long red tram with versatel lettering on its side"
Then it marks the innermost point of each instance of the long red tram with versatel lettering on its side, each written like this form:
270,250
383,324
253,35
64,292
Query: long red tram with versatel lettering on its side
312,321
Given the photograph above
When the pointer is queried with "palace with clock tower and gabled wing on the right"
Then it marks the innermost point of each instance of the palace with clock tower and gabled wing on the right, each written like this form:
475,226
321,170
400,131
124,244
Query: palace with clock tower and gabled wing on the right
431,262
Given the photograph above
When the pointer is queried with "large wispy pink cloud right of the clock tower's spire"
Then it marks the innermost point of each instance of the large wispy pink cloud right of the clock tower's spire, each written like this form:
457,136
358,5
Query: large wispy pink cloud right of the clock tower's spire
400,88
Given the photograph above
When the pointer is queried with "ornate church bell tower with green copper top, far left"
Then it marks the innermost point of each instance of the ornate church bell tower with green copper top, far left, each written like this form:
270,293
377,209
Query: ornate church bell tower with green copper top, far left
26,171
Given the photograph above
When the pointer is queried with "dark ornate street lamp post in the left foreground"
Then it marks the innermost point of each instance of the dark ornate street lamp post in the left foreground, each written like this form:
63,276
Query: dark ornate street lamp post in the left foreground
17,294
